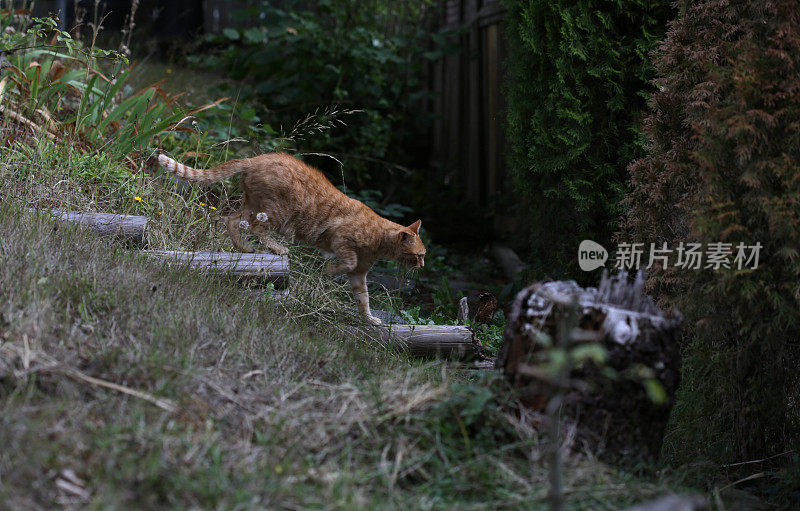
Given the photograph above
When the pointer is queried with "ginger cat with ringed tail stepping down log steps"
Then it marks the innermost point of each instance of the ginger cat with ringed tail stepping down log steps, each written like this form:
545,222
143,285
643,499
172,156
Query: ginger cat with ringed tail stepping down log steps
284,195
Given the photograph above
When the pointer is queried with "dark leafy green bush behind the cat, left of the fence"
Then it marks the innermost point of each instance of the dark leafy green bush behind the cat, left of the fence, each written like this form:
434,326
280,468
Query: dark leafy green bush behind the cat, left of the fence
355,63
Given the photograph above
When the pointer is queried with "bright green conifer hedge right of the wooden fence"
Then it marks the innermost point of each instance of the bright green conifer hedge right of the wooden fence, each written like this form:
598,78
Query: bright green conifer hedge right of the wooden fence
577,75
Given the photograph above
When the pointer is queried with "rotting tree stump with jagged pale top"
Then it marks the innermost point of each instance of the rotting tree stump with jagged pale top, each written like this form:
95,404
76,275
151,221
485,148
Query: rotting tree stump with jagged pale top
616,416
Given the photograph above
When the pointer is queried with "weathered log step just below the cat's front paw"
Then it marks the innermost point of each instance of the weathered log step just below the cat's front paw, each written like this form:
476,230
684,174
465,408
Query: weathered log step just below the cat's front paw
451,341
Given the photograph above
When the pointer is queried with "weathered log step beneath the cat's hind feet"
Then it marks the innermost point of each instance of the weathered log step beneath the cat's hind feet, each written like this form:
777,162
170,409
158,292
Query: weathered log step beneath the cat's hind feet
267,267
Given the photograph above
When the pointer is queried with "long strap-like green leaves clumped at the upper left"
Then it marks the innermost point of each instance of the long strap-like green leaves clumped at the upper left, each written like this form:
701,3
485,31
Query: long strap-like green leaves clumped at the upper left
67,91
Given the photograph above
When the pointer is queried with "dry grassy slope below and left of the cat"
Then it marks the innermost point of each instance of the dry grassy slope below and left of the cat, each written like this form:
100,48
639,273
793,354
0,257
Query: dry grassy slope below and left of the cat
274,407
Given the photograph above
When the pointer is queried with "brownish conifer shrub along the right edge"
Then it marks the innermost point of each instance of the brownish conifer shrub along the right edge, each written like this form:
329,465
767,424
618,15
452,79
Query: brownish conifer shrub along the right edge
723,165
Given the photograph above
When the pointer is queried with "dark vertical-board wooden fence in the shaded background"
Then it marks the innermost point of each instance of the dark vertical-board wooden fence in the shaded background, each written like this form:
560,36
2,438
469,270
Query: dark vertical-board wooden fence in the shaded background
468,135
